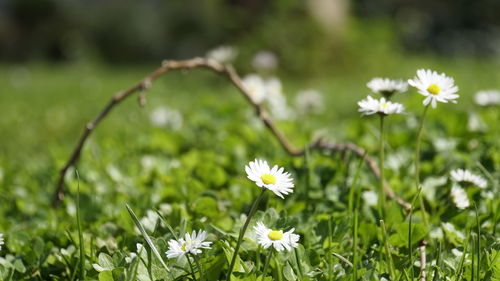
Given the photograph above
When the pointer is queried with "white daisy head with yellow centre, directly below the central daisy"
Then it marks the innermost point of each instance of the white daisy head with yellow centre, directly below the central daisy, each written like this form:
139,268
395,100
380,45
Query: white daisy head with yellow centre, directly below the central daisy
267,237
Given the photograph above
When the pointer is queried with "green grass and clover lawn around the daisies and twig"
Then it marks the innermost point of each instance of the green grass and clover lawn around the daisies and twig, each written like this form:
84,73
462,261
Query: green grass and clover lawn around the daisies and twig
192,173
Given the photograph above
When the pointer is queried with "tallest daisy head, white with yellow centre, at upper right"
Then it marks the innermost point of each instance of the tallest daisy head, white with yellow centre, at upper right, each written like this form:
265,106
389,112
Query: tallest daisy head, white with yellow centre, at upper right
435,87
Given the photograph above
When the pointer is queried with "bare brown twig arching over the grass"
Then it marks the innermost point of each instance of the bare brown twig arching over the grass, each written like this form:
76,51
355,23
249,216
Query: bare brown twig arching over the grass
229,72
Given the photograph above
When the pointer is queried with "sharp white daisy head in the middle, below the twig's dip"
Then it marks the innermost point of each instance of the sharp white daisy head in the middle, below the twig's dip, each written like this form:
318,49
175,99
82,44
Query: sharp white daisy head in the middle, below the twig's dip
274,179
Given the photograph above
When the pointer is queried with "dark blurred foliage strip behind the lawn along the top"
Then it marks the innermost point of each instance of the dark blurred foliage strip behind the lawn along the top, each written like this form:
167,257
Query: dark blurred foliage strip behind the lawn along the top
144,31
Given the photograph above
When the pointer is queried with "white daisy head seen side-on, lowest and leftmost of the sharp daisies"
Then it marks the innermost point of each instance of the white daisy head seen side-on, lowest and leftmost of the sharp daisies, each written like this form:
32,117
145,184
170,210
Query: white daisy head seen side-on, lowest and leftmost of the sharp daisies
191,243
